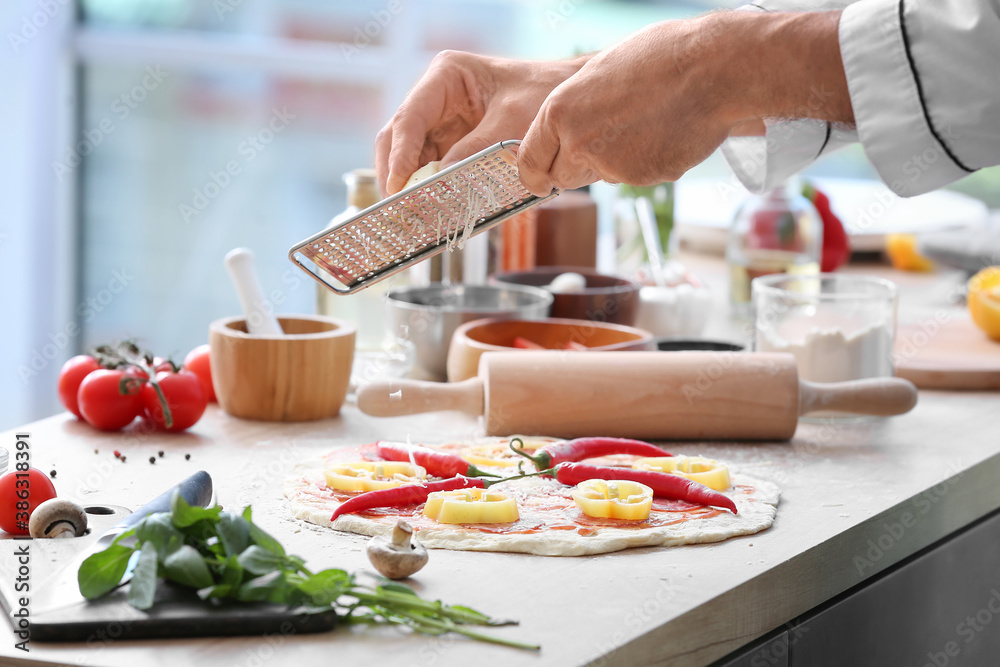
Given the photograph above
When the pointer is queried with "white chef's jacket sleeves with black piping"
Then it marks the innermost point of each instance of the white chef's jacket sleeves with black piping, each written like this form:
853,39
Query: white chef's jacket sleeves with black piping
925,89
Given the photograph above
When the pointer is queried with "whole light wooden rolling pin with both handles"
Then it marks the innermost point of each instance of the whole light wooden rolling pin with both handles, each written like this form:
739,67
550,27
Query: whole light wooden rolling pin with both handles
647,395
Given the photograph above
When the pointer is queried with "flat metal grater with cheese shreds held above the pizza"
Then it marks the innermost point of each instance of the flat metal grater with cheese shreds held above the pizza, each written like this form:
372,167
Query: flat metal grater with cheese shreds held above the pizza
418,222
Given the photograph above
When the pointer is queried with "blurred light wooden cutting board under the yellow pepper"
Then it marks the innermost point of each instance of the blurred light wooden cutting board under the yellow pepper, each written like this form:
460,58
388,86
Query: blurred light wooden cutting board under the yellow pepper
952,354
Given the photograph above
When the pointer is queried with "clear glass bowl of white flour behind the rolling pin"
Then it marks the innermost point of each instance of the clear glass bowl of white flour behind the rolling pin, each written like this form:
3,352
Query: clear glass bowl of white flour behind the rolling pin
839,327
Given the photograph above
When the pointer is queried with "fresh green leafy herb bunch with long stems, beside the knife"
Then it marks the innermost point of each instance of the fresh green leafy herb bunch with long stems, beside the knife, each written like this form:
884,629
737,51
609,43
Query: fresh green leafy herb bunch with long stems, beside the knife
224,555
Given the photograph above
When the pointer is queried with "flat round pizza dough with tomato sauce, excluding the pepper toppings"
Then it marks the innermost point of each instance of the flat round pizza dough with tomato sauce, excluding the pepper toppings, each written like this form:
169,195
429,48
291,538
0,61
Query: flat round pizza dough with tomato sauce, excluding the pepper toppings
550,523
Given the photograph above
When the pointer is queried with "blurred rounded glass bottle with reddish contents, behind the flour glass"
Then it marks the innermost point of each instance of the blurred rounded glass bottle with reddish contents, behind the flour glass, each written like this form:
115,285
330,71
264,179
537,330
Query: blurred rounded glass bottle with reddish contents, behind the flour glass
777,232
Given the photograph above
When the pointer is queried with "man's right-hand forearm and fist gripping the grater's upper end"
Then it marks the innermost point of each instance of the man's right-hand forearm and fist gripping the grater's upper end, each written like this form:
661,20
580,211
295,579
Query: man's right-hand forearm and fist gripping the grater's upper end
650,108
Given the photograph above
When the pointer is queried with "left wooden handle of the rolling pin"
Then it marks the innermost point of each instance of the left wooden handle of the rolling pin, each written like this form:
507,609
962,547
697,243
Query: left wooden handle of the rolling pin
395,398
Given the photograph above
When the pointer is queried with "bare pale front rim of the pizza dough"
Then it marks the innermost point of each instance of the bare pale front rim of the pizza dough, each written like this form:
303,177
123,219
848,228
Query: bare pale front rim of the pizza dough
756,512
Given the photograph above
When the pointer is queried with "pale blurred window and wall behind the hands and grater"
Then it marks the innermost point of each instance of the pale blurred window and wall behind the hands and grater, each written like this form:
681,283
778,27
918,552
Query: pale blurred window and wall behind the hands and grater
120,118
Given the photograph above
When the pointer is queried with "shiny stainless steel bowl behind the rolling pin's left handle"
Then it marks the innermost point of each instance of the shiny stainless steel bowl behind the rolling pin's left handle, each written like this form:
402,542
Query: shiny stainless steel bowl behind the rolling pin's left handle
428,316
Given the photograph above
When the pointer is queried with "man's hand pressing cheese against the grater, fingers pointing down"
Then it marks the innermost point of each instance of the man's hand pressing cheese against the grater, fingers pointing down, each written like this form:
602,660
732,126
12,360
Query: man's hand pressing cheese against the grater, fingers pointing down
463,104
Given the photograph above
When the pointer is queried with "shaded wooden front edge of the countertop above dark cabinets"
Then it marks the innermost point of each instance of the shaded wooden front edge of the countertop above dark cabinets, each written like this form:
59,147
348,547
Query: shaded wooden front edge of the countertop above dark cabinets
784,592
